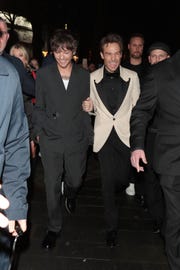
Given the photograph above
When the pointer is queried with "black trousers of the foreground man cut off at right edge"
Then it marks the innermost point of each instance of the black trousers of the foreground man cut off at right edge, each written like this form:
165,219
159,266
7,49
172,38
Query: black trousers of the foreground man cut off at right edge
171,190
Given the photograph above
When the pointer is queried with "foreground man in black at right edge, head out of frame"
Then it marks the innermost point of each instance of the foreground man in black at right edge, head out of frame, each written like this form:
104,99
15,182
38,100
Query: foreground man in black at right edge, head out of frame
161,95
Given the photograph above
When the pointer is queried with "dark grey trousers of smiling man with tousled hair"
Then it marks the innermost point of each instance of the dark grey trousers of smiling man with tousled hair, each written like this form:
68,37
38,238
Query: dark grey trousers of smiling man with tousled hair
55,165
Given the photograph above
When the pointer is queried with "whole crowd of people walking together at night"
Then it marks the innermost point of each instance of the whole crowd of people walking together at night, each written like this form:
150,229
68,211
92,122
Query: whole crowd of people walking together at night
134,101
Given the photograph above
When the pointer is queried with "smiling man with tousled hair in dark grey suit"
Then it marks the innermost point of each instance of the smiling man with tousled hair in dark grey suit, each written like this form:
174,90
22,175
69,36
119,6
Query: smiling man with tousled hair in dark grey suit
62,128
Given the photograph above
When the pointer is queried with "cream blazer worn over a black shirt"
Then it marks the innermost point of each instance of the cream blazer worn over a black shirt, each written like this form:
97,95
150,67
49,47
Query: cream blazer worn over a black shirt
104,120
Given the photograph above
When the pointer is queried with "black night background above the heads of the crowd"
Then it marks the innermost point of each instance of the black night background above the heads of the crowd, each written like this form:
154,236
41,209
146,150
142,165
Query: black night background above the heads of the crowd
90,20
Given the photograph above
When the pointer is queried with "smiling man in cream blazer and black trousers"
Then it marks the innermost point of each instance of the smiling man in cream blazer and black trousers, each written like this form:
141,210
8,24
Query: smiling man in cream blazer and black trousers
114,92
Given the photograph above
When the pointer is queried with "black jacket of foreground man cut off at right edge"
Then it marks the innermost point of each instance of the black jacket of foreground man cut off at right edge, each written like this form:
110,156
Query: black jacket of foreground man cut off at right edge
161,94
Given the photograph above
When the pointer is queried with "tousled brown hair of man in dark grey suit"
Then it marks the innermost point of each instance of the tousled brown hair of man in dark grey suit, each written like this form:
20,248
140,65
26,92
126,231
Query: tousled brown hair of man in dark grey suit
64,39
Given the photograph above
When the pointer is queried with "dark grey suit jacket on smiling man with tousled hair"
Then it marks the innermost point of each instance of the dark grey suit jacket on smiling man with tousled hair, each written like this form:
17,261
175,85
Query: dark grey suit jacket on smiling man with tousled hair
58,116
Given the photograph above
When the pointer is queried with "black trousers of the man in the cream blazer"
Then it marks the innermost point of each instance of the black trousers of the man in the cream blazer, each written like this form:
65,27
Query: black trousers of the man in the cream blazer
114,158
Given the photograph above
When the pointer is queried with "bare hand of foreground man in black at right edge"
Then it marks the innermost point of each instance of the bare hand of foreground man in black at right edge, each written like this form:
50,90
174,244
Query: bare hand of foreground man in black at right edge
136,157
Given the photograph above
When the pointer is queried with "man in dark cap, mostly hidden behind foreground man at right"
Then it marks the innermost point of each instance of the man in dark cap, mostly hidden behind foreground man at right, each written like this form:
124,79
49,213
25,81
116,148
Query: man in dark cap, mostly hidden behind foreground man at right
157,52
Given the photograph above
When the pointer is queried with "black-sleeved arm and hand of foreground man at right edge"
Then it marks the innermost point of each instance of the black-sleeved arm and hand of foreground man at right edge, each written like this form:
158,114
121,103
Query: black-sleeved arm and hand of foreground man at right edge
141,114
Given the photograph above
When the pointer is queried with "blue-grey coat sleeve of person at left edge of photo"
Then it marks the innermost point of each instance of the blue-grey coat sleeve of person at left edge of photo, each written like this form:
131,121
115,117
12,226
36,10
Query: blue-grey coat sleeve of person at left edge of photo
14,151
